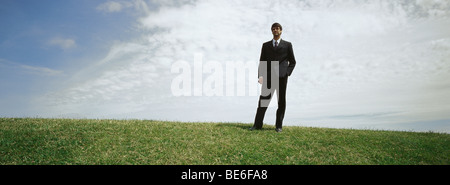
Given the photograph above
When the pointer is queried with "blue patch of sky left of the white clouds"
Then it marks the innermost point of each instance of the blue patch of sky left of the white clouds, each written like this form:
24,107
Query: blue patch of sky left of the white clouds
44,40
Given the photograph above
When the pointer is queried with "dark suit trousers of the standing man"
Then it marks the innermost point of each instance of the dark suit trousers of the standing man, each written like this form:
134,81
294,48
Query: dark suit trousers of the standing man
264,101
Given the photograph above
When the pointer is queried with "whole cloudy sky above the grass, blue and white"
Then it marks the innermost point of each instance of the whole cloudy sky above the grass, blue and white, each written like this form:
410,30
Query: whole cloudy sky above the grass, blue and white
360,64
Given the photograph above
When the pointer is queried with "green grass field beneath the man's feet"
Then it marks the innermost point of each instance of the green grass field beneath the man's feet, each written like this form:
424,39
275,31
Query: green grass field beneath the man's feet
83,141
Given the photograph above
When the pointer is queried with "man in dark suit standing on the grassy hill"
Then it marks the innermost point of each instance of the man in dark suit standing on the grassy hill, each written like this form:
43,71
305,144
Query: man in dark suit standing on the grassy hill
276,64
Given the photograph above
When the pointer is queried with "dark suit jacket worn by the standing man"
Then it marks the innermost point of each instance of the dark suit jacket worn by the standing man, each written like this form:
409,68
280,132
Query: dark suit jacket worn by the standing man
283,54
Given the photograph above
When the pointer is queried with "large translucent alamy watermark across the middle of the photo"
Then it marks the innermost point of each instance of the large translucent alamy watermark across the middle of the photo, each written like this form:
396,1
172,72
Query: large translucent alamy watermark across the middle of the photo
230,78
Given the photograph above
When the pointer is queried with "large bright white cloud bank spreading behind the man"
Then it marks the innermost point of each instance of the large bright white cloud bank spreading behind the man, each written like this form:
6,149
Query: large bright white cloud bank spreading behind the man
359,62
